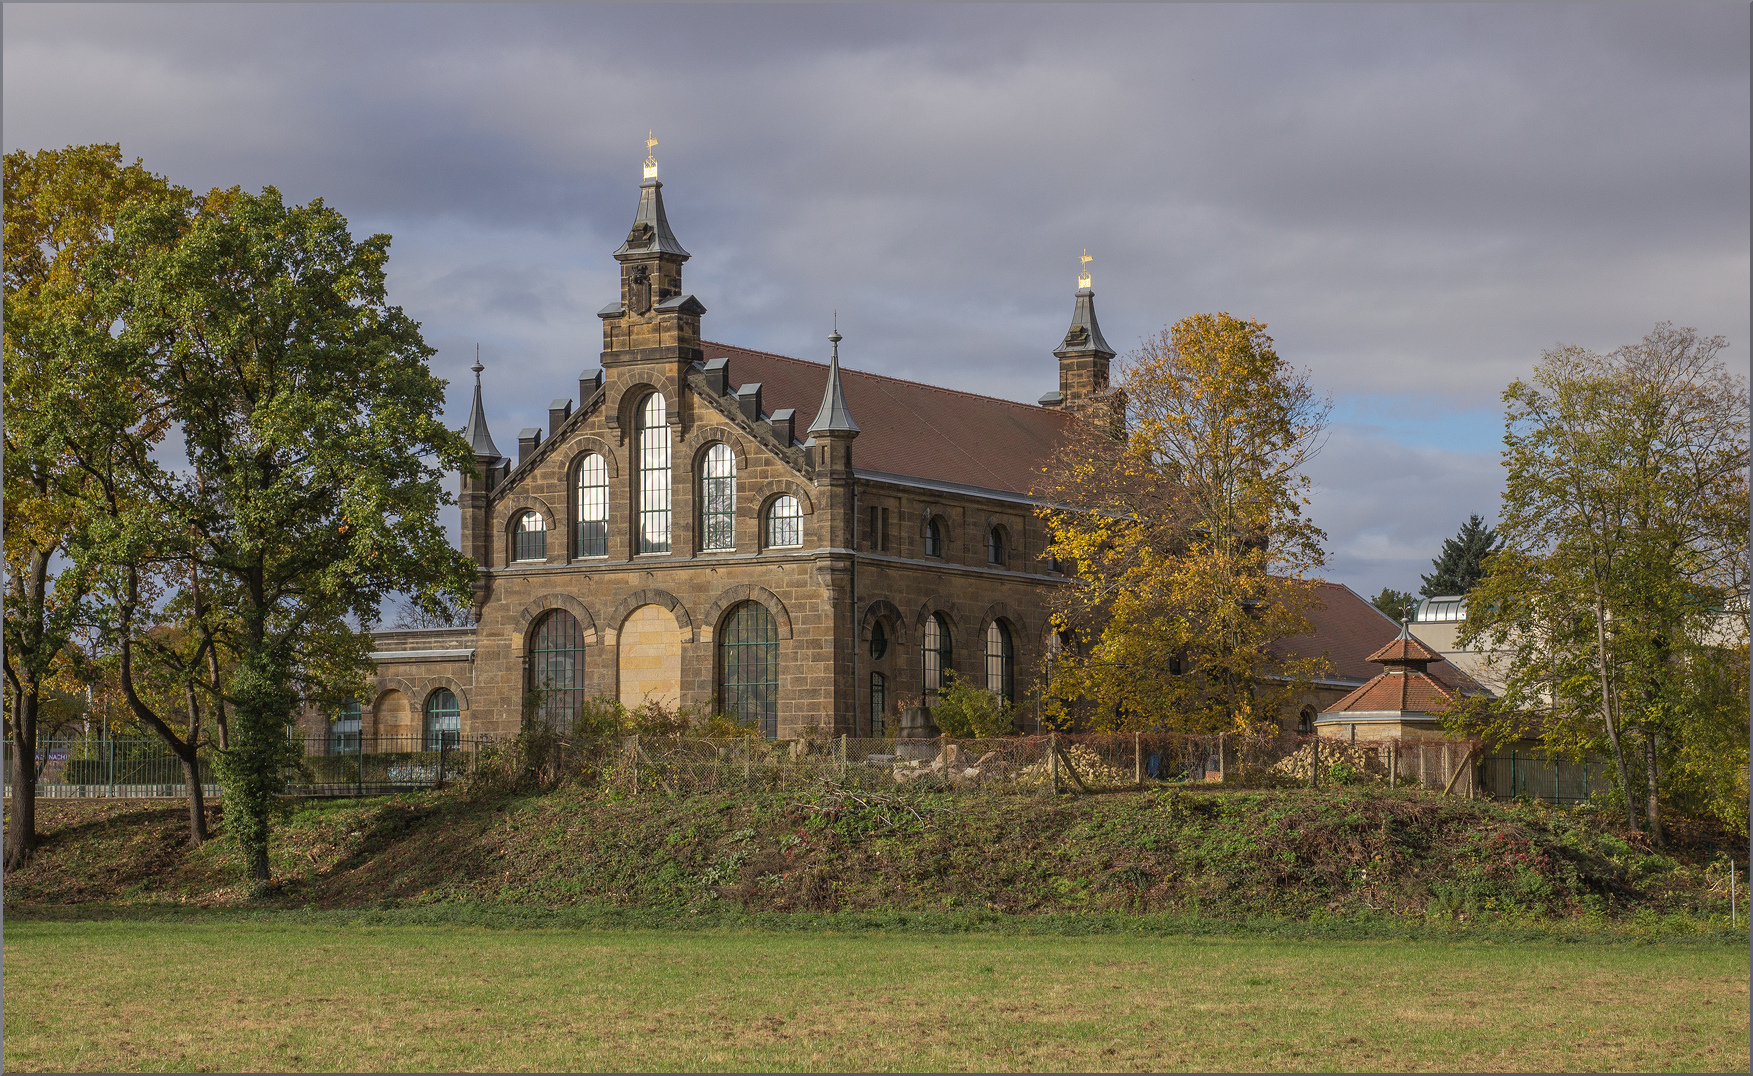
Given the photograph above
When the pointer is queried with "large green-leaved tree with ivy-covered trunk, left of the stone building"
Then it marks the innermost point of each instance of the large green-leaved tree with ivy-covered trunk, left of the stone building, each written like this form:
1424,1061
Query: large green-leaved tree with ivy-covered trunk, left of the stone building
309,465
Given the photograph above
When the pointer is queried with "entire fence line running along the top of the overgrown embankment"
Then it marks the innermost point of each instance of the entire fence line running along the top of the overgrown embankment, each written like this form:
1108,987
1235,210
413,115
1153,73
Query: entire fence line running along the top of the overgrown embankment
355,765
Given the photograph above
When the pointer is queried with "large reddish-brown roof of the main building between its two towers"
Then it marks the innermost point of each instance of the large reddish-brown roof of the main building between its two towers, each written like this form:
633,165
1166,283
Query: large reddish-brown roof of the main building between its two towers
914,430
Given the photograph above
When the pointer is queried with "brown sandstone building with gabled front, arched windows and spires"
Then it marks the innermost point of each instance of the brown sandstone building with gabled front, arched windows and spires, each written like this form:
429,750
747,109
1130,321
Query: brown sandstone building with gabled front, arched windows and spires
786,541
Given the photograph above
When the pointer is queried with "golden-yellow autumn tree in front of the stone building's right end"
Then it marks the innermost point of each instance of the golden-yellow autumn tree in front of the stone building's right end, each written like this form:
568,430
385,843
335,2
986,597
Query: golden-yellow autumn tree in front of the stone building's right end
1188,537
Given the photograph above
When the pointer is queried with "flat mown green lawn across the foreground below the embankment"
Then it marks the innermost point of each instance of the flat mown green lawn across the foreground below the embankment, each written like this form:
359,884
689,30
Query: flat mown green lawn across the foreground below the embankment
311,996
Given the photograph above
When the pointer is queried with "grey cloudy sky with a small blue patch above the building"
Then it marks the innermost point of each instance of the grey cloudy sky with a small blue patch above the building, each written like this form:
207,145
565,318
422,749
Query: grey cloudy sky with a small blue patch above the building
1417,199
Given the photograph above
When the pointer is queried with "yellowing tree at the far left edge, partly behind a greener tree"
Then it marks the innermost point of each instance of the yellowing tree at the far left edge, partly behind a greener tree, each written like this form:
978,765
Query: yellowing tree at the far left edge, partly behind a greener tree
62,209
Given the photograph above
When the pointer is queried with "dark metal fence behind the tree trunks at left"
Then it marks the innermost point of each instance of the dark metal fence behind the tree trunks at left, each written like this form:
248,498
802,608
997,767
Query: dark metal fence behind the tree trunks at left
143,767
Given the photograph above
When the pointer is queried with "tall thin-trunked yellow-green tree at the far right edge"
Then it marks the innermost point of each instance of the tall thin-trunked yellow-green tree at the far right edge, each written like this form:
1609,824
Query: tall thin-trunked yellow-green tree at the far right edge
1621,597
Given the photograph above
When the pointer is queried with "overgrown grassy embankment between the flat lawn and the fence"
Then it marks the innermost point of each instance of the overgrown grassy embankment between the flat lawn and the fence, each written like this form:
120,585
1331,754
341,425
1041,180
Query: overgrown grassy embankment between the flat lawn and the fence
1230,856
